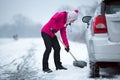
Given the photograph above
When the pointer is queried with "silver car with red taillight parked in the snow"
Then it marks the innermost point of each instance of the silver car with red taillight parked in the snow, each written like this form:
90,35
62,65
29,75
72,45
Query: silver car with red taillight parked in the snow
103,36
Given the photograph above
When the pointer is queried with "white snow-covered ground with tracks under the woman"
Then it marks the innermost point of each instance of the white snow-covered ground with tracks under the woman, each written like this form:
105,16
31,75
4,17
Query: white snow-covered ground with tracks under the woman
22,60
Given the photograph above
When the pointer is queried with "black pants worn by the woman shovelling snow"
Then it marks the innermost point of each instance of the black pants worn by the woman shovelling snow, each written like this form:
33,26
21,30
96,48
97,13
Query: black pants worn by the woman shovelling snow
49,44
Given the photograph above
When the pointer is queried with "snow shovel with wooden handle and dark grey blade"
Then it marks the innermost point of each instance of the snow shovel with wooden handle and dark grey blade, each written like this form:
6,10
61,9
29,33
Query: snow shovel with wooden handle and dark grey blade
76,63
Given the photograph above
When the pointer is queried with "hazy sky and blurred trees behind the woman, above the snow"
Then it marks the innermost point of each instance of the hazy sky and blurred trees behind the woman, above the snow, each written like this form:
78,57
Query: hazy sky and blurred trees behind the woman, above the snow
25,18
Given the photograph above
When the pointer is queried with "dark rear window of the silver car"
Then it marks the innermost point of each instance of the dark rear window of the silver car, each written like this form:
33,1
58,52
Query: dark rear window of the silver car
112,6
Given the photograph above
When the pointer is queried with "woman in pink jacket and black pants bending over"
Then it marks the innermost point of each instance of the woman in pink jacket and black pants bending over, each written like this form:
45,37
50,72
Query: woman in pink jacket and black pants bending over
58,22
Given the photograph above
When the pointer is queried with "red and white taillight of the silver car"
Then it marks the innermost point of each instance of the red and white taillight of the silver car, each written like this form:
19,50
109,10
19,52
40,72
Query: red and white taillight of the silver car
100,25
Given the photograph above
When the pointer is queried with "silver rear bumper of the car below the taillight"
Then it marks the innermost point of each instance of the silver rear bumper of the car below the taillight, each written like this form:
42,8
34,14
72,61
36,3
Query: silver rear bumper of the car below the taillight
104,50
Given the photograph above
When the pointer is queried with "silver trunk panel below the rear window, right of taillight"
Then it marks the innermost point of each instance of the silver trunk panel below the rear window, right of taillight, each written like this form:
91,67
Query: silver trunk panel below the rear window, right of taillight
113,26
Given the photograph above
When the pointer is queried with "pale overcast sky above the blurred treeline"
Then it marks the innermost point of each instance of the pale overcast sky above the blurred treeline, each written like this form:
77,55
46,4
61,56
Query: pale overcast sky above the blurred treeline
36,10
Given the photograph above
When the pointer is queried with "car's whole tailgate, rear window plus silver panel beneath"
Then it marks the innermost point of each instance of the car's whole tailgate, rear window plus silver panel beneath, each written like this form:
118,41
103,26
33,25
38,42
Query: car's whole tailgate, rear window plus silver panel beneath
112,10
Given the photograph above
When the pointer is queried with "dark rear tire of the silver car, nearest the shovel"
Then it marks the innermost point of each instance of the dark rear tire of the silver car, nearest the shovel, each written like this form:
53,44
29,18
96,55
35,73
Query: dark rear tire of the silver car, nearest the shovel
94,69
